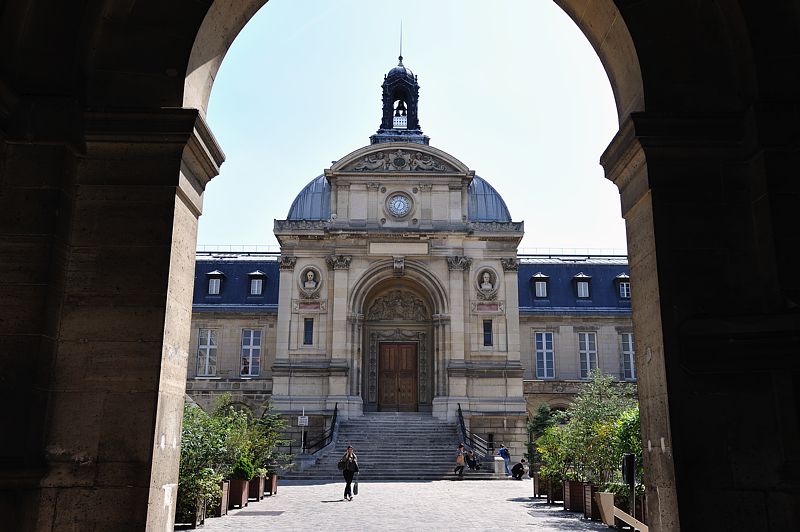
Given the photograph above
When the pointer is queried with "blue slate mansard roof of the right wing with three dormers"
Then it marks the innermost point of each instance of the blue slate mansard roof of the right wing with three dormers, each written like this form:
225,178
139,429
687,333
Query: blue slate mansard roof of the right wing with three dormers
604,273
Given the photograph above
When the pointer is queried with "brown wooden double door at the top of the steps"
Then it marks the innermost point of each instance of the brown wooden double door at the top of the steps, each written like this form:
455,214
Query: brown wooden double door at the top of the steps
397,381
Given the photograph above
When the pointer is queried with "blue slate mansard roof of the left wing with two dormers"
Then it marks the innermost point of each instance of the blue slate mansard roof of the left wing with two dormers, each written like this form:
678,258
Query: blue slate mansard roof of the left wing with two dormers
235,270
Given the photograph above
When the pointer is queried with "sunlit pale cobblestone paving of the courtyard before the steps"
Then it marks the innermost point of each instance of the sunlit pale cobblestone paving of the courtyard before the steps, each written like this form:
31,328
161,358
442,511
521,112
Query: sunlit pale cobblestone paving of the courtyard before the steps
384,506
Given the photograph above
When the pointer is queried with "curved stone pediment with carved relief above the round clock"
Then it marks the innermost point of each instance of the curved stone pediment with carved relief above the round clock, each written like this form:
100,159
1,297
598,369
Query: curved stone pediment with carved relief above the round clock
399,157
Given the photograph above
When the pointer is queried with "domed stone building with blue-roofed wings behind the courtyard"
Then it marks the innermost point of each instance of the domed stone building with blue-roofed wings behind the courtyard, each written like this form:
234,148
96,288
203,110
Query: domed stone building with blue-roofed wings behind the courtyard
398,288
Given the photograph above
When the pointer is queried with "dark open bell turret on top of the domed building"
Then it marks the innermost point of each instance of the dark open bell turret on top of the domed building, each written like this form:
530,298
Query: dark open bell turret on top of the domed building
400,121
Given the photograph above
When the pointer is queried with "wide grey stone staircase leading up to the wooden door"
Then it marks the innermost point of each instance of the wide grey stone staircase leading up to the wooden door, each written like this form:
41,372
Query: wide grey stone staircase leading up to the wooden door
394,446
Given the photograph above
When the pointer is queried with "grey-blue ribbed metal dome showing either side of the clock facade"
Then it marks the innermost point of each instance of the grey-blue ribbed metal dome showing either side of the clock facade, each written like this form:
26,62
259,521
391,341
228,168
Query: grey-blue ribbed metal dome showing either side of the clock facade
314,202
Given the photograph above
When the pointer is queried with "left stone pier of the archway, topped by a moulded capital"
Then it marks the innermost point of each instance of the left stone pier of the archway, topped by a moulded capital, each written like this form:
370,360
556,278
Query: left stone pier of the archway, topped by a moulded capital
105,374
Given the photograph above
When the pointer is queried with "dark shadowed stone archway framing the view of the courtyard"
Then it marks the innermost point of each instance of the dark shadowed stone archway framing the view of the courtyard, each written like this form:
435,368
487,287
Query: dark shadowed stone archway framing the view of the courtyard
91,126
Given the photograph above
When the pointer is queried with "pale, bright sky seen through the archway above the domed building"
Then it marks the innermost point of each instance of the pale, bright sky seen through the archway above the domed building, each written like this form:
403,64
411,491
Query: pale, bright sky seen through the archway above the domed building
512,89
